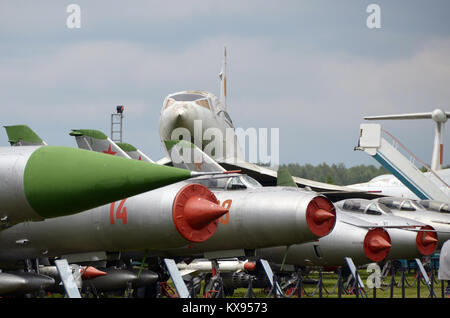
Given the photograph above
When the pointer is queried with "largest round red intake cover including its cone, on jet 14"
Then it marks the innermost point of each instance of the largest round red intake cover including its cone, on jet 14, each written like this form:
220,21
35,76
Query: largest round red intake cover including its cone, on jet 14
196,212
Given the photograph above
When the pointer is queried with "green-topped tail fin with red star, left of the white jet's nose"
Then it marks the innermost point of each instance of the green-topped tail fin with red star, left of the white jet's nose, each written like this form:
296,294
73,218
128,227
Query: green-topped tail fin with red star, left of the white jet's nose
96,140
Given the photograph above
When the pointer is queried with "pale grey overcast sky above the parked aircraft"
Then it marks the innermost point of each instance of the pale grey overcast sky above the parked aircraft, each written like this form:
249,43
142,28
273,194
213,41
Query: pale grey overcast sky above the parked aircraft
313,68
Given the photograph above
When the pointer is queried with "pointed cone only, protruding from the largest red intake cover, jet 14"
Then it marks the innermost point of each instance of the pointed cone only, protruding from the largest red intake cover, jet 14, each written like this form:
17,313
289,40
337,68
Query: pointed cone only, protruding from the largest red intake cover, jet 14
199,212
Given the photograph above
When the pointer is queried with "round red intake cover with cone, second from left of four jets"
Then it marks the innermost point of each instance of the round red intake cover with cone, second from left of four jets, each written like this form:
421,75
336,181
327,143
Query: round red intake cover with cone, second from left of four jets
320,216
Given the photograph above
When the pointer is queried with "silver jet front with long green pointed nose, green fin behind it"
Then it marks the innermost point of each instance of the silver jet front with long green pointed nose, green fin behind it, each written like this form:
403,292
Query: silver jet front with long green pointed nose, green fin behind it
40,181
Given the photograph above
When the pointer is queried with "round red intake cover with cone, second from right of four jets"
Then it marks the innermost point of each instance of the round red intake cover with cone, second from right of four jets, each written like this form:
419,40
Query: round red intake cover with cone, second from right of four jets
377,244
